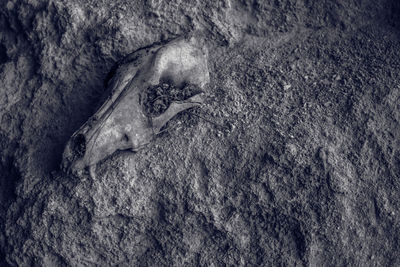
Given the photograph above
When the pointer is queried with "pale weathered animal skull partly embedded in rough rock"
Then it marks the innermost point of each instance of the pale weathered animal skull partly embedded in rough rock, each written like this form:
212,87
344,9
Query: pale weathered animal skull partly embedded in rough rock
121,123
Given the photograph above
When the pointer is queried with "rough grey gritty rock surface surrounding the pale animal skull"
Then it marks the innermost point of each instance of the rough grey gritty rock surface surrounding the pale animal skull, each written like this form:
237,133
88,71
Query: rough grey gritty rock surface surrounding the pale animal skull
296,162
